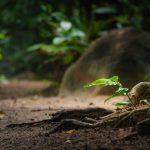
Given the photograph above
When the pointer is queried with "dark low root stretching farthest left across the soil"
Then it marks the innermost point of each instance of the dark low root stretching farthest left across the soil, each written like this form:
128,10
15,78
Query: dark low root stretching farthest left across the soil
81,114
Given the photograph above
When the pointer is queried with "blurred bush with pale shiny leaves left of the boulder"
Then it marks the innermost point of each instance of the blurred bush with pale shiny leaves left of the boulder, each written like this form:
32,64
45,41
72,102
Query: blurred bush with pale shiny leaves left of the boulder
67,41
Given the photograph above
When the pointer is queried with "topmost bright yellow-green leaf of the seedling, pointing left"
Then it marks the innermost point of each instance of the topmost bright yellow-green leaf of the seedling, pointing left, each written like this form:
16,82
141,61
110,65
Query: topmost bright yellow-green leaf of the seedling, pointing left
105,82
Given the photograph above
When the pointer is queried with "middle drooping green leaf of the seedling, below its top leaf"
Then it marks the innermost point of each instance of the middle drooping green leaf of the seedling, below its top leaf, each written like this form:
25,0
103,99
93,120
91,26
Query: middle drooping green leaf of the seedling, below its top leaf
120,92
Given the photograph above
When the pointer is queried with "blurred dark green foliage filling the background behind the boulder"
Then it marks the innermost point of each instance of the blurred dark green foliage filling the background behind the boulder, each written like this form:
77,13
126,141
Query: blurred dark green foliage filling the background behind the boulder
47,35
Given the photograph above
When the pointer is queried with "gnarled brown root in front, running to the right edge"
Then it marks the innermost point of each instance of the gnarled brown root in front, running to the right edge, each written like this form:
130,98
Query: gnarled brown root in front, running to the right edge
115,120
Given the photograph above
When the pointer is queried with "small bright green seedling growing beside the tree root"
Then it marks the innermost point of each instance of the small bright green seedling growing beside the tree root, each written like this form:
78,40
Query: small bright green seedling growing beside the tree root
113,81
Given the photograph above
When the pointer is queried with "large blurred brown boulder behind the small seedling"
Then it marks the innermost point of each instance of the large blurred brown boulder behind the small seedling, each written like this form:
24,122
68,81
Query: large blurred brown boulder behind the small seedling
125,53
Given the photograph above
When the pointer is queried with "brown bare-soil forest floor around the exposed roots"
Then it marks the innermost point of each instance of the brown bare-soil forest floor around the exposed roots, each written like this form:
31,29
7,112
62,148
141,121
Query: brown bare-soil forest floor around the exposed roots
25,121
